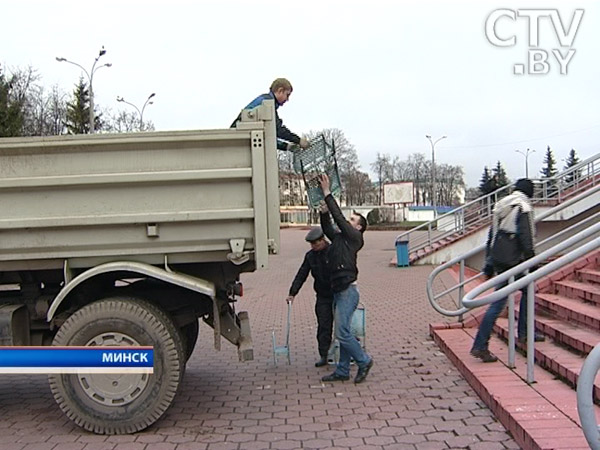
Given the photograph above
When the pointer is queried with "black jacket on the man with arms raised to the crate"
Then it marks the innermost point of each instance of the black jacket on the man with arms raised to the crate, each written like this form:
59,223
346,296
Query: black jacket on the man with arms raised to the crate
344,247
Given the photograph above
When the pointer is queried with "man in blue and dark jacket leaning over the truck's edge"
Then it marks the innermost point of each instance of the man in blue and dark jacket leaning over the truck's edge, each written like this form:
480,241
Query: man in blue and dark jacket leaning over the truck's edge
280,91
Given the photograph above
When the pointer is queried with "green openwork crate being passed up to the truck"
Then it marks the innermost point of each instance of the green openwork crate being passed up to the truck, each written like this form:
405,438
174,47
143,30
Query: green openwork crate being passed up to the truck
318,158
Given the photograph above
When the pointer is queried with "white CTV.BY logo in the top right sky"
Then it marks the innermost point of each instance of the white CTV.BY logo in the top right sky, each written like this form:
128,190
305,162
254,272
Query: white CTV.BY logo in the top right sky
538,60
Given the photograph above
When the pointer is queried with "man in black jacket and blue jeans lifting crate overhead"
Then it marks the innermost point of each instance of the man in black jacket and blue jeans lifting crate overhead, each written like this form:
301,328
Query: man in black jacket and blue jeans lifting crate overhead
343,250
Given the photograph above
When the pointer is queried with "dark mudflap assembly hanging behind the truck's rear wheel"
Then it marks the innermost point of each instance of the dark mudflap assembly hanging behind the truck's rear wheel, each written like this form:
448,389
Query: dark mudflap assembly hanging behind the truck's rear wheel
233,327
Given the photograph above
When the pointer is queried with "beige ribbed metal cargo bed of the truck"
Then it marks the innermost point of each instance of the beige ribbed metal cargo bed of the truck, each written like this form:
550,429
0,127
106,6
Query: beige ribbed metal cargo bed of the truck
181,197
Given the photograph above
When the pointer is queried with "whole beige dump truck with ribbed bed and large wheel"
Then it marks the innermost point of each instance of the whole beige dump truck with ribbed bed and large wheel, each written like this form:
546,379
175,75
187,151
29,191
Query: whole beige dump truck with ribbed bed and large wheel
134,239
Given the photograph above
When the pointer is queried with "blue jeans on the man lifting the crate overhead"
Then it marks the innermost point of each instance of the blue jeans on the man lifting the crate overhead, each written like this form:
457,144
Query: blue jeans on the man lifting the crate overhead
344,305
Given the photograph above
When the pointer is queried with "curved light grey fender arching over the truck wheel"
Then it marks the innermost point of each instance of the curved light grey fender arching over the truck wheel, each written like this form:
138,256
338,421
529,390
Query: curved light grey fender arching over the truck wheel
186,281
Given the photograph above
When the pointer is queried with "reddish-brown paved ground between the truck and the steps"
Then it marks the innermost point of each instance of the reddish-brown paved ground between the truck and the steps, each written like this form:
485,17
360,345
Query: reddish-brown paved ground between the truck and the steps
414,398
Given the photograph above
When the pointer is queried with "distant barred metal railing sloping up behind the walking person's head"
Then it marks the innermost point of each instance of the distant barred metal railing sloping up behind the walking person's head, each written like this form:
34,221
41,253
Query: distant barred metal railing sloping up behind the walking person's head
477,213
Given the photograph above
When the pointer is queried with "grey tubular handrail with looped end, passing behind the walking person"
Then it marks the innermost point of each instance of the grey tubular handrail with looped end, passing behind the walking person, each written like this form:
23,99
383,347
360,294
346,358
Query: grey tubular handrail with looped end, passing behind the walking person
432,297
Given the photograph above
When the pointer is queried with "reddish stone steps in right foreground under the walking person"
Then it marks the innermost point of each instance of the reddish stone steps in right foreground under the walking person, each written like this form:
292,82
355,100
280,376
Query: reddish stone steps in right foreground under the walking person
542,415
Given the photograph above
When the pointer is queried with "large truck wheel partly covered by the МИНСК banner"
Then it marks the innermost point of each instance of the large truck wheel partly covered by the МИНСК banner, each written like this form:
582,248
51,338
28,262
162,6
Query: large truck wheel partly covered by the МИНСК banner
120,403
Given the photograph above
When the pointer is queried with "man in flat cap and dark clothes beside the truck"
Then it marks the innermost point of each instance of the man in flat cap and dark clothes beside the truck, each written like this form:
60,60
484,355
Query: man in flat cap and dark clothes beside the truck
315,263
